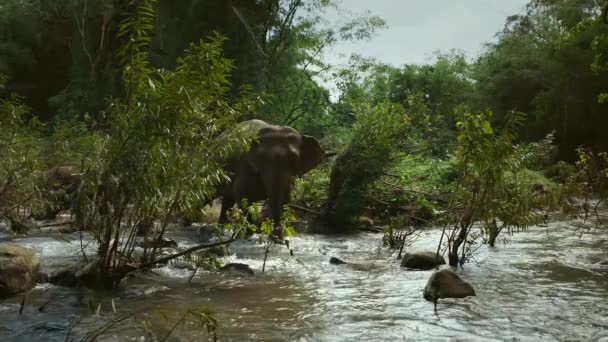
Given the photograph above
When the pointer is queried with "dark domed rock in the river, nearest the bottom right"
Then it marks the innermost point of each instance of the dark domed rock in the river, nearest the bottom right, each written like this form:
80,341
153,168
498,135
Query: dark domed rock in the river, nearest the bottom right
447,284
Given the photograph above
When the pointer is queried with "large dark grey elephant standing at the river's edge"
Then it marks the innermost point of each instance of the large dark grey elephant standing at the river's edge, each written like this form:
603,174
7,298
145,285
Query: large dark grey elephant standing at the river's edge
266,171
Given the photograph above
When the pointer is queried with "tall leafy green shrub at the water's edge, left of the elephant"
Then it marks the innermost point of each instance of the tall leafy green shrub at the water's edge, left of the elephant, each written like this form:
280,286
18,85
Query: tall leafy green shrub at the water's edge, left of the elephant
159,152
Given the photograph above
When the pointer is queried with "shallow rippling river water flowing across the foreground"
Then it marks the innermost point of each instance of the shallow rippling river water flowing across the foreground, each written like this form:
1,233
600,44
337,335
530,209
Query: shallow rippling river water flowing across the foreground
543,285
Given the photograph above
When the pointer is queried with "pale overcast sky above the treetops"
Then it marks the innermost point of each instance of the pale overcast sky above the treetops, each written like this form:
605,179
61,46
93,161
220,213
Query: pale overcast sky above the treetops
418,28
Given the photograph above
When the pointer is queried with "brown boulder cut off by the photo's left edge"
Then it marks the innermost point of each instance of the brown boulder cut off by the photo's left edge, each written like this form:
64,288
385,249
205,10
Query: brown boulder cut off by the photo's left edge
18,269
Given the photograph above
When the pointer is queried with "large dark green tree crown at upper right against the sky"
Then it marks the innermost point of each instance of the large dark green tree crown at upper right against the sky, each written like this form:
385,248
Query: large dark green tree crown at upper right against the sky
524,71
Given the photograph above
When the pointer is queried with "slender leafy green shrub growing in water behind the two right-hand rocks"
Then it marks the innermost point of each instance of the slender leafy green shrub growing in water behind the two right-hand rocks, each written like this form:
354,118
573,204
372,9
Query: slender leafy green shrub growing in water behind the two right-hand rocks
491,191
